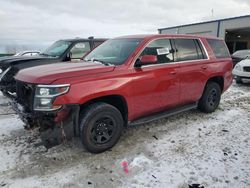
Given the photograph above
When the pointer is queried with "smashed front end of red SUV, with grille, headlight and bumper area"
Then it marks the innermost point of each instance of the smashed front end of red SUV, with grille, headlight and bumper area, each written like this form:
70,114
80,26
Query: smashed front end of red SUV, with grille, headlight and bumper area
34,104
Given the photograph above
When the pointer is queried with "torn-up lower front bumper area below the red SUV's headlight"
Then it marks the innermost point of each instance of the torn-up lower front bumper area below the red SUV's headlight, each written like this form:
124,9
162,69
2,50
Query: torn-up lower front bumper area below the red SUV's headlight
54,127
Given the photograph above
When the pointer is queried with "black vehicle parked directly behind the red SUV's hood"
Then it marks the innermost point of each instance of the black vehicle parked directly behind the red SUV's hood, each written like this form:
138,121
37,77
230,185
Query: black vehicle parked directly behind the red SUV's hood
60,51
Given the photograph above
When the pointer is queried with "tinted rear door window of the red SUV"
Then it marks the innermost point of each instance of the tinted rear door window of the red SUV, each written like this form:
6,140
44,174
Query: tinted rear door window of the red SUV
187,50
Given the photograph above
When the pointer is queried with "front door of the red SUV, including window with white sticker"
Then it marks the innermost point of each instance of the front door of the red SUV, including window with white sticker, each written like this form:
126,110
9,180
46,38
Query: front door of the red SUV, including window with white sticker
156,86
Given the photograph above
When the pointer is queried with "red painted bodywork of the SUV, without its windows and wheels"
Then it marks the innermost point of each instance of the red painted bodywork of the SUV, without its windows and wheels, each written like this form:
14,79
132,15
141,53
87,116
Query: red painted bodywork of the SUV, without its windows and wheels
146,90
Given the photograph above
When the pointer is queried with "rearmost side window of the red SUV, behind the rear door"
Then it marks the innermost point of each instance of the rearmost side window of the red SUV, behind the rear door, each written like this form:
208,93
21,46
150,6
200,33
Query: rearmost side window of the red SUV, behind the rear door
219,48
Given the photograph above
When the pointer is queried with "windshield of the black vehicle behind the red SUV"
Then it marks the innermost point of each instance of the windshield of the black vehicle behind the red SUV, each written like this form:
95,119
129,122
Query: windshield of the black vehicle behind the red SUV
56,49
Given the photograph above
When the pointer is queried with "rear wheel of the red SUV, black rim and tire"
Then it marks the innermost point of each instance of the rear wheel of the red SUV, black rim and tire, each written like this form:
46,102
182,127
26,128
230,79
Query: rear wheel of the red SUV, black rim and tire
210,99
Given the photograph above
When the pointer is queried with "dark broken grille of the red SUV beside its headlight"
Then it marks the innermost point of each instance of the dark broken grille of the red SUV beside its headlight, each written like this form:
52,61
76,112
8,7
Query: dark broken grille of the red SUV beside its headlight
25,93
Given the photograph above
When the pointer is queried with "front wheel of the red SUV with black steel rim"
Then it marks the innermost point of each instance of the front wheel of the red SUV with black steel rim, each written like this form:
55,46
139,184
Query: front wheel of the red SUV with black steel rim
101,127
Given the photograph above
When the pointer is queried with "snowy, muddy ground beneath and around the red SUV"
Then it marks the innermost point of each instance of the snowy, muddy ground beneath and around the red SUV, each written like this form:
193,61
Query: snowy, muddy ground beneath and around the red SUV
190,148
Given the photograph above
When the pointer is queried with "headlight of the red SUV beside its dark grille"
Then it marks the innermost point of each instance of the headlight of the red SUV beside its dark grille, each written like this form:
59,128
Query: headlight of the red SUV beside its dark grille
46,94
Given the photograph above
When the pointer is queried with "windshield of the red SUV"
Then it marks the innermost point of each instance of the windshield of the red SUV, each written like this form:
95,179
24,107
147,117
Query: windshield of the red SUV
114,51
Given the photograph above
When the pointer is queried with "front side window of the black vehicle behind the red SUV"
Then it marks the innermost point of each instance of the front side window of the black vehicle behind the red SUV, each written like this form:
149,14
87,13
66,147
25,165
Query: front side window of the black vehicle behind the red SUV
79,50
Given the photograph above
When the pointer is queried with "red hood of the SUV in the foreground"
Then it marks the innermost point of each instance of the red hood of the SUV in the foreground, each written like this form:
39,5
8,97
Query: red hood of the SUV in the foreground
46,74
